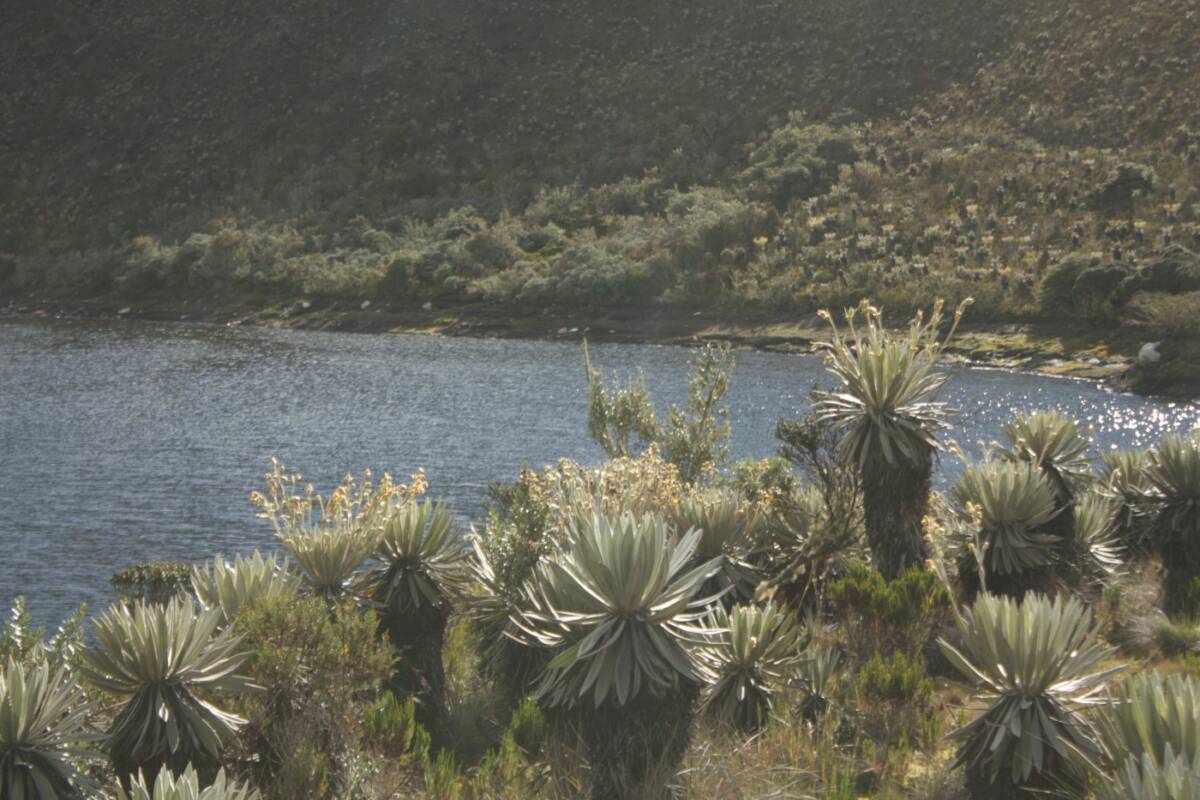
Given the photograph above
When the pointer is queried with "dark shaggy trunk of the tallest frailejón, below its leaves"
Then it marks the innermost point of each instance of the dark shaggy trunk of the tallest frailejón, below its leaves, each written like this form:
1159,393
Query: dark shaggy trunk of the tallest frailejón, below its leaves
896,500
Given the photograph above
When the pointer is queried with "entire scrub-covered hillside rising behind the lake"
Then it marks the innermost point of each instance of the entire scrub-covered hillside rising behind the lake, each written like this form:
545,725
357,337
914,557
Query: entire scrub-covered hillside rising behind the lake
760,159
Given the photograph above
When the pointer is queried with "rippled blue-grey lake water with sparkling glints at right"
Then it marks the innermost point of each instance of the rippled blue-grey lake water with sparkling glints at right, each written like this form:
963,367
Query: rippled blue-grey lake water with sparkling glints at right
123,442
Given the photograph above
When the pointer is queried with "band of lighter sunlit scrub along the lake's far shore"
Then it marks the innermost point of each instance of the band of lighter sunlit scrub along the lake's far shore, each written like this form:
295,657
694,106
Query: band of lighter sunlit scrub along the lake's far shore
820,215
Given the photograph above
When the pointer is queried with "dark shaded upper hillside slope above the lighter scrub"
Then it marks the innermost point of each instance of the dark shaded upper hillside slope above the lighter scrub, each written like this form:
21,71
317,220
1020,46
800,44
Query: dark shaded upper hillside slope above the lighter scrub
124,118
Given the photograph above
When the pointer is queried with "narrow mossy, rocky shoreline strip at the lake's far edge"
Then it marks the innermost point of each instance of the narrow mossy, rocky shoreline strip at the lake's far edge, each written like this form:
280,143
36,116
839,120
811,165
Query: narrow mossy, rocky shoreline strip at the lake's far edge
1040,348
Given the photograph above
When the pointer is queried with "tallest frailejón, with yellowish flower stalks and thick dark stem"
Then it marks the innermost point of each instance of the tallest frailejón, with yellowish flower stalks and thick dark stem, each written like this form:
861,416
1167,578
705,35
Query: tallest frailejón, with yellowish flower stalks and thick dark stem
889,413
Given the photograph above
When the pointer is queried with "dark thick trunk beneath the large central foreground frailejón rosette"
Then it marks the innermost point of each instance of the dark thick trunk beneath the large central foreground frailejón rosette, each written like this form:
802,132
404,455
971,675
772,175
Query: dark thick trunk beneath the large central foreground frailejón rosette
637,750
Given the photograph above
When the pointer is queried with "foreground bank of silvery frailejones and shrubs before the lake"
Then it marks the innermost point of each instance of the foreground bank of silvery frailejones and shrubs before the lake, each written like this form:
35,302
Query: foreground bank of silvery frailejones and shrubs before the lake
665,623
